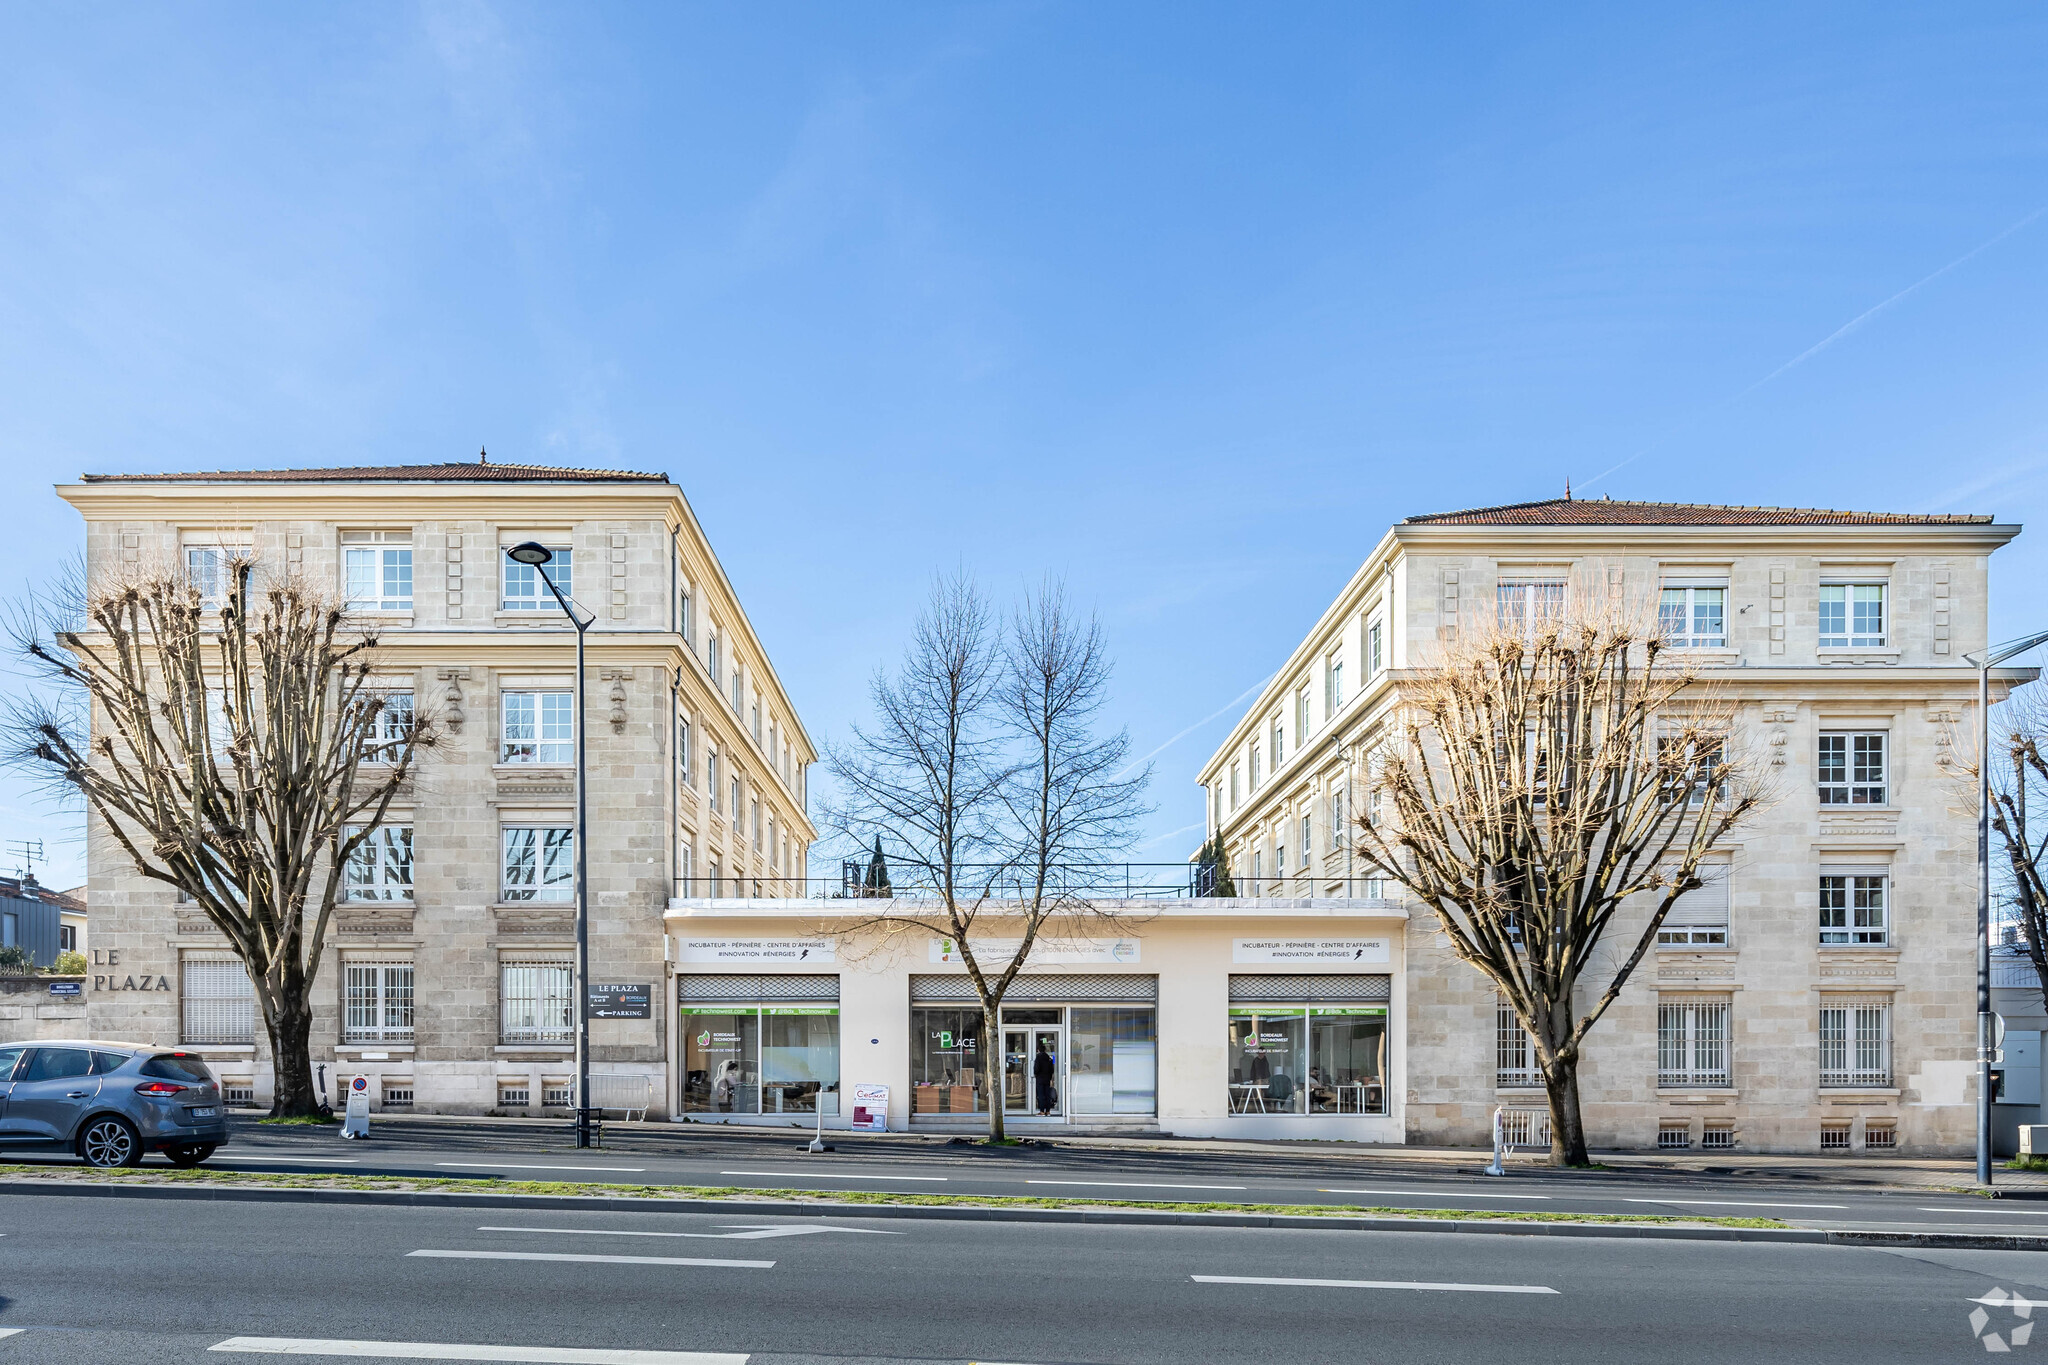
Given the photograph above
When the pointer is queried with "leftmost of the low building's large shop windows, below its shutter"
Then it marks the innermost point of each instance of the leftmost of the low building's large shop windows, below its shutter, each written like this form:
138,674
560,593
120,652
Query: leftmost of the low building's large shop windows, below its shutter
744,1059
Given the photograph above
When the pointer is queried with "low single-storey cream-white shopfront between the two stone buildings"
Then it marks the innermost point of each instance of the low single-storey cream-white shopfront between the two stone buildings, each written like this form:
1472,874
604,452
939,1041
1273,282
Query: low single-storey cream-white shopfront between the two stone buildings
1197,1018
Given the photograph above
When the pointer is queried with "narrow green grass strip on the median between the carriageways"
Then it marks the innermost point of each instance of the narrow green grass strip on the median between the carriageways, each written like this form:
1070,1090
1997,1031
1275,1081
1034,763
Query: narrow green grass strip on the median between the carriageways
853,1198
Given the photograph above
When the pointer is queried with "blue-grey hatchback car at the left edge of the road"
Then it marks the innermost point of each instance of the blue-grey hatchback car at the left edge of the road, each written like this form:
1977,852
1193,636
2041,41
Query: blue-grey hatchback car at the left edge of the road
110,1102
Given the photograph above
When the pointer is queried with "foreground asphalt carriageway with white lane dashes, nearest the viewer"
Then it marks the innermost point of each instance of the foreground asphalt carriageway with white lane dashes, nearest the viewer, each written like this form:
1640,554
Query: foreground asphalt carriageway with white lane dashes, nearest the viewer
89,1280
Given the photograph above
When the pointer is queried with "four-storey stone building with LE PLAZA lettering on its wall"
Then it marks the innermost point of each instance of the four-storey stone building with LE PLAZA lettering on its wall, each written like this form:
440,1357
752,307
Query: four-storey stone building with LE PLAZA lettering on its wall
447,969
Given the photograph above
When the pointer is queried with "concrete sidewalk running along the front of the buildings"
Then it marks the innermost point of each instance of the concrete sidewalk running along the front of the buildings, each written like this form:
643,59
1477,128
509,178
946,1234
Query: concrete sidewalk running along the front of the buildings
1859,1170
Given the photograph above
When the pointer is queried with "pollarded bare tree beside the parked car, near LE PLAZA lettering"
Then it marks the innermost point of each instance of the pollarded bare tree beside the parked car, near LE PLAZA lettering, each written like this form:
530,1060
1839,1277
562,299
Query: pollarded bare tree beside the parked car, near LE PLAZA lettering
241,756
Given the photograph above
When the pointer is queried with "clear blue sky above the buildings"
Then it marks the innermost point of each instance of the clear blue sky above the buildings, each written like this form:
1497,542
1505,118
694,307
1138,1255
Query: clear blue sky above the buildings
1181,302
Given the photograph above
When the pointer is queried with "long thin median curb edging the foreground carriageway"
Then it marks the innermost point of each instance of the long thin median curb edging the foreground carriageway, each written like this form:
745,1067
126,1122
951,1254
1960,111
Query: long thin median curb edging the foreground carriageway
1146,1219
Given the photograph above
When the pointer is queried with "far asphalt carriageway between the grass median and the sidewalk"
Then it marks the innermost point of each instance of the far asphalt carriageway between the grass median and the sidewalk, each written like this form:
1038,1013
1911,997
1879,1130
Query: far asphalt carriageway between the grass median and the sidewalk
1095,1174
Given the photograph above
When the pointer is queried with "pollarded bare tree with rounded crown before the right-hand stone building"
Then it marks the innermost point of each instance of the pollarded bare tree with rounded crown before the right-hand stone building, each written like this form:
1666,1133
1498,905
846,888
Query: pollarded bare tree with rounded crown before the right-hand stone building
1545,781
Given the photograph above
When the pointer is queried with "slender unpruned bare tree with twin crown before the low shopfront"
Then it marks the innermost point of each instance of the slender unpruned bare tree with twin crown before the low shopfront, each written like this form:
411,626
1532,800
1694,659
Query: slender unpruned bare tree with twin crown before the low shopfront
992,791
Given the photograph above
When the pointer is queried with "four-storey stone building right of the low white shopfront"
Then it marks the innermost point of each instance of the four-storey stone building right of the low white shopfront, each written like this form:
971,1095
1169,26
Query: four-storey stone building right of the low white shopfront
1822,998
